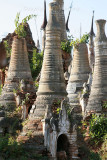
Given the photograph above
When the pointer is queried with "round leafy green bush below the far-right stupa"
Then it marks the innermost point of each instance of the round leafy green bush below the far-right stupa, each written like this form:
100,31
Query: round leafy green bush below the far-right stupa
98,128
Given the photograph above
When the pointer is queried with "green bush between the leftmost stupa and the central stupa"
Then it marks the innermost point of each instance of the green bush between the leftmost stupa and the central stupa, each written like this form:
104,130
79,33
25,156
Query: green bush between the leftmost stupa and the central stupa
36,63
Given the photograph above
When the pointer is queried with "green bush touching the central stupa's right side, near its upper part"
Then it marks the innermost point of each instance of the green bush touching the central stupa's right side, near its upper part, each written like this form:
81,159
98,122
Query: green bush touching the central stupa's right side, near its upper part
65,45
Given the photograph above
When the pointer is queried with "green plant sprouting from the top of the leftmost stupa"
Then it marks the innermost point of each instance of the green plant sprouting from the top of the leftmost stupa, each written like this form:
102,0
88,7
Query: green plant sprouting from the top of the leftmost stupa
20,31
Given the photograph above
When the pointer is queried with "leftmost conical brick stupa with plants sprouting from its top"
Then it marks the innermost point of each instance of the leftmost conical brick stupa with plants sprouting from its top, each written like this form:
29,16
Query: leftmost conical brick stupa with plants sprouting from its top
19,69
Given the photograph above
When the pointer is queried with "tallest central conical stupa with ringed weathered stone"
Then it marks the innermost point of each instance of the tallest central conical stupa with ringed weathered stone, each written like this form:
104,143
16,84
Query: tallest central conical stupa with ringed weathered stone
52,84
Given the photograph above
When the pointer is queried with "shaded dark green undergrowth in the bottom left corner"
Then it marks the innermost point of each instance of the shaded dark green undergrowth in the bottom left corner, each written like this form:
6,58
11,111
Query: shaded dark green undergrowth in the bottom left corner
10,149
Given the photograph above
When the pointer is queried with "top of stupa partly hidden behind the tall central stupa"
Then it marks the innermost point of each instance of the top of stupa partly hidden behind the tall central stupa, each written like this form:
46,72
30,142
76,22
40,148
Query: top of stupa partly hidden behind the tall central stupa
62,19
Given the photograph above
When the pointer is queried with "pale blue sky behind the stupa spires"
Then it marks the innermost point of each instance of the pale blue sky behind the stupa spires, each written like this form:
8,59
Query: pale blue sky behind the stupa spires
81,14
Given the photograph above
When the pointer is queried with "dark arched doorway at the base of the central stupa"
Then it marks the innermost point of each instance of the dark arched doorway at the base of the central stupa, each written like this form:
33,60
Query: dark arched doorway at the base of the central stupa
62,147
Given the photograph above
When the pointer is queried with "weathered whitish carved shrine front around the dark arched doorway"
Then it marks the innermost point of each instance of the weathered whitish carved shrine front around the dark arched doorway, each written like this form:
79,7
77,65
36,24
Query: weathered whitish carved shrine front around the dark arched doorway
58,125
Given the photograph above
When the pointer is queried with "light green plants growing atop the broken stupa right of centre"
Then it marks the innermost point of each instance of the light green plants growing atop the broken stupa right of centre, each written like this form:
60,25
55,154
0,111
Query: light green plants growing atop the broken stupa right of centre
84,39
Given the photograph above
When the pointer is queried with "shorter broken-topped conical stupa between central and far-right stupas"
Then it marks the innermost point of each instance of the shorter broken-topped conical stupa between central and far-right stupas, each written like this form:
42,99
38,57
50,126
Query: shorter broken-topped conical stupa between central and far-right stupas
80,71
